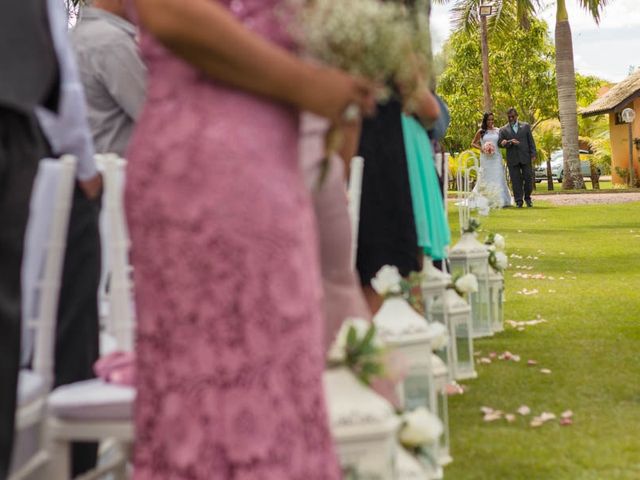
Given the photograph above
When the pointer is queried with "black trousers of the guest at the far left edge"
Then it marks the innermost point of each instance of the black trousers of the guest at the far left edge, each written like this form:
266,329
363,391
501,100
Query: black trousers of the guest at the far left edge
22,145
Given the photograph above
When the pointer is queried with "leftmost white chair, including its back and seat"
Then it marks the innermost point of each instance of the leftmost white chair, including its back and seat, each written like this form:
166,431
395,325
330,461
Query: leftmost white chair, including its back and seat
45,241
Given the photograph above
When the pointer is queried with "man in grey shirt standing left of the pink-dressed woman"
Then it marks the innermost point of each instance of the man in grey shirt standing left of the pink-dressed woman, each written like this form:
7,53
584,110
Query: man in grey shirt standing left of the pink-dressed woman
111,72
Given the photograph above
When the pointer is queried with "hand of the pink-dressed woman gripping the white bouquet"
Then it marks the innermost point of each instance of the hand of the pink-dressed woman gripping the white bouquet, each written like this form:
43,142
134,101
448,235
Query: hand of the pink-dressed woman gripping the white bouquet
329,92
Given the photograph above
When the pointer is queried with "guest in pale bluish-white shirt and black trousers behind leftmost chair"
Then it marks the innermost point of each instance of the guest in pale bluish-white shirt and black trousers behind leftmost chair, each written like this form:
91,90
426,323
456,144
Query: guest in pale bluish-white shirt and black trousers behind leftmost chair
67,130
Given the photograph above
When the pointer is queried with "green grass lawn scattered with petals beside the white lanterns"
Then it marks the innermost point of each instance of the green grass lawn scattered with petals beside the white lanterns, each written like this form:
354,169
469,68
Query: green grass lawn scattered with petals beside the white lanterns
591,344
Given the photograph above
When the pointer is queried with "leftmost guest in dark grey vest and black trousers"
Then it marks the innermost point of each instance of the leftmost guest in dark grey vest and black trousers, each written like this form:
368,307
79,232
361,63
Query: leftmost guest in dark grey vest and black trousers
28,78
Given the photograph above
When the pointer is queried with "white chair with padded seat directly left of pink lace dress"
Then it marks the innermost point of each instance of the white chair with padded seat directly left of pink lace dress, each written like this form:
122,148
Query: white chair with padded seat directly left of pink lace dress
95,410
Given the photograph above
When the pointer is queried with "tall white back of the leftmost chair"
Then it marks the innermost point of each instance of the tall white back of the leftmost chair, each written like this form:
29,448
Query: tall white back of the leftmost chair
44,248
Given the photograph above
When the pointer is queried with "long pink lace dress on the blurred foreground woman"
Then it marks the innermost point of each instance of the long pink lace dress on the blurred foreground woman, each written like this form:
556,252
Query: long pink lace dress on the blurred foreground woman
229,346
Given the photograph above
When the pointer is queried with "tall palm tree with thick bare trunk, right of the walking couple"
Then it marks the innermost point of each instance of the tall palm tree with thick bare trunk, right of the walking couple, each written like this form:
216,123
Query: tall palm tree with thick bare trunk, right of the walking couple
565,71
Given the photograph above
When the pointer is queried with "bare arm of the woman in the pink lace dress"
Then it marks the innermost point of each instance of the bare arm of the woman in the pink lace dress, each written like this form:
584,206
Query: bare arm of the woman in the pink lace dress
208,36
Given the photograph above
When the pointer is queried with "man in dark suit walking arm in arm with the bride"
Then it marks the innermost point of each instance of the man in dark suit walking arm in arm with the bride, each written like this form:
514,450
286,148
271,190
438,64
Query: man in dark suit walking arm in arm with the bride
521,153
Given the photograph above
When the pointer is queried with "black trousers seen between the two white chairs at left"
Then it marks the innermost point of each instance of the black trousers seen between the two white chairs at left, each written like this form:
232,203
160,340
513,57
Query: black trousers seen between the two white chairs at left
77,327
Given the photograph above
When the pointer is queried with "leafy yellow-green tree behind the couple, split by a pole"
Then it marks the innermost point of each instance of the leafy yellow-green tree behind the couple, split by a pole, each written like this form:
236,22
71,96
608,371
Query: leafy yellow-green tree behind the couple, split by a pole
522,75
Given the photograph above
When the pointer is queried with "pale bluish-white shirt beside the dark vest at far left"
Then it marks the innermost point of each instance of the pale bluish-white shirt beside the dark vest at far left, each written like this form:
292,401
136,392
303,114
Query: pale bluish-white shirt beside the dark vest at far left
67,129
